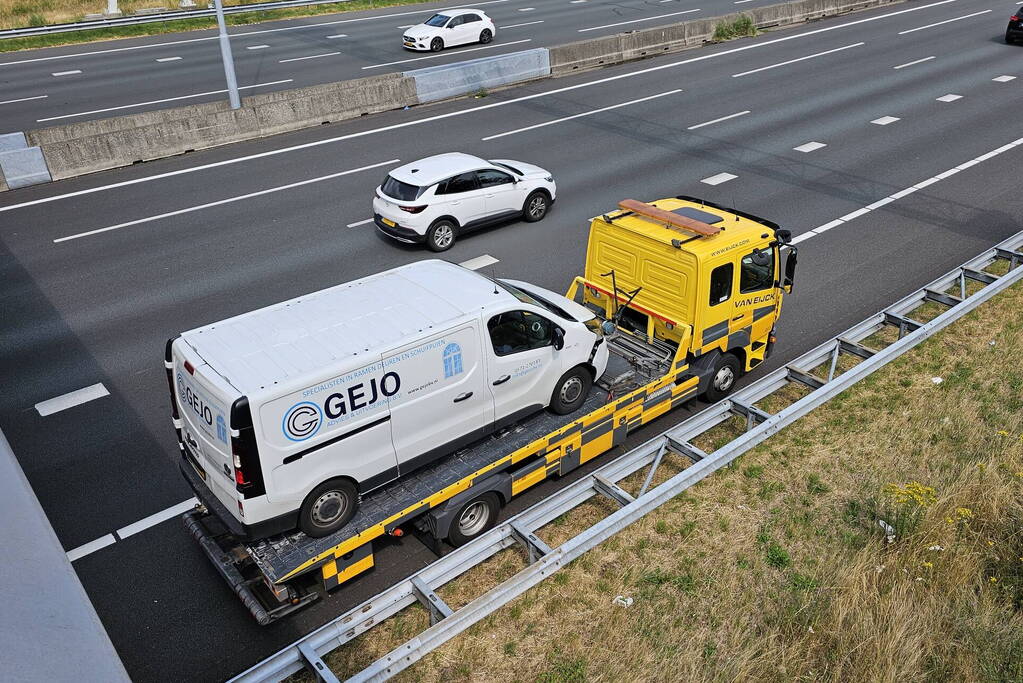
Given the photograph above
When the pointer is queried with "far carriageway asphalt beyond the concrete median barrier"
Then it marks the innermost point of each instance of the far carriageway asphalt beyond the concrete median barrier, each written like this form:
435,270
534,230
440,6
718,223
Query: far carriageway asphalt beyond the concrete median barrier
56,86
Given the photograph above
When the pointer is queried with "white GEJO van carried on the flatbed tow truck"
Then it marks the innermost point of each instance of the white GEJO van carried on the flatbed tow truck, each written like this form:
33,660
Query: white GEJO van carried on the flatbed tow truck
288,415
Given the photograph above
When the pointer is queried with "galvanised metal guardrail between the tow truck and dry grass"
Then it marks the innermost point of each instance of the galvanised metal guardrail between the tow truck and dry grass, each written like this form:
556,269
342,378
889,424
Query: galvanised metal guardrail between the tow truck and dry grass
544,561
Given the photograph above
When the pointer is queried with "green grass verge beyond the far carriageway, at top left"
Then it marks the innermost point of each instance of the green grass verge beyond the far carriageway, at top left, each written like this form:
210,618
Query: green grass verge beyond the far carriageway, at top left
19,14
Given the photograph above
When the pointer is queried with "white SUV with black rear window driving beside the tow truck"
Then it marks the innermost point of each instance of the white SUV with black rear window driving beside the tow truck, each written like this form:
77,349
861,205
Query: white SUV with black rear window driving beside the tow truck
437,199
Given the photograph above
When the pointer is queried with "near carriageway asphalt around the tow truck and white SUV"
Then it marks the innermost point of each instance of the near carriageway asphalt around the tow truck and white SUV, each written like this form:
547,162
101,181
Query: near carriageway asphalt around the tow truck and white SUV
98,307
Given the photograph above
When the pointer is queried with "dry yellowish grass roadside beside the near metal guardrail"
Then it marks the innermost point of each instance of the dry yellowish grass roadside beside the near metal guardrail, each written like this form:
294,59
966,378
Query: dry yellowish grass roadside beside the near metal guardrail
776,569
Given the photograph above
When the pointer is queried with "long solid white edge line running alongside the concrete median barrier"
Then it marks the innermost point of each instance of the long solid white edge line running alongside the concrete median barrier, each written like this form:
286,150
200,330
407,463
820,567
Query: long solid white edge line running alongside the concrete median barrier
472,110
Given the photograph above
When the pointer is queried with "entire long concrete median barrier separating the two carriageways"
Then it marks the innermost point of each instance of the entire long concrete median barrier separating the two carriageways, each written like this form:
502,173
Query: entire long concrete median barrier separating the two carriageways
75,150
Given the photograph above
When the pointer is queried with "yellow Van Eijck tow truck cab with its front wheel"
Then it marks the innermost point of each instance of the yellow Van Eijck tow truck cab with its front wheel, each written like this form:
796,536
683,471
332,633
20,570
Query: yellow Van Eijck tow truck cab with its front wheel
701,278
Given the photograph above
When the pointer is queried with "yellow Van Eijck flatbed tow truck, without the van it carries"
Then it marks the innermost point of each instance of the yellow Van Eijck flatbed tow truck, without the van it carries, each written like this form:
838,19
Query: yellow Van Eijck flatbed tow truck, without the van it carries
687,294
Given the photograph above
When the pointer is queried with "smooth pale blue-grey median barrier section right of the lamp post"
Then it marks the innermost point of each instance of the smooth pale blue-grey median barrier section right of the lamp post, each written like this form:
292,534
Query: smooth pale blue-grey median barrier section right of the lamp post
436,83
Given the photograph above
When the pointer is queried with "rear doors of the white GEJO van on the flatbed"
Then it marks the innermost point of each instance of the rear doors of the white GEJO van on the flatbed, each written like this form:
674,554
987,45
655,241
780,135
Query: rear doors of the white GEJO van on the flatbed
205,399
